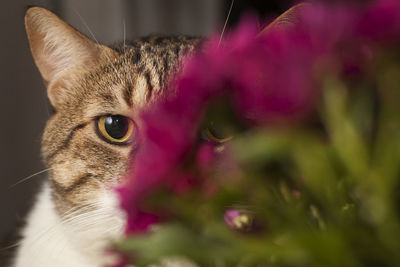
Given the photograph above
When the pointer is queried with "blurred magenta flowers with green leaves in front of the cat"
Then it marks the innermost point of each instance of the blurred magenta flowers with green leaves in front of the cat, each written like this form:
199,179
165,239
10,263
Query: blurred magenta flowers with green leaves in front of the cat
298,128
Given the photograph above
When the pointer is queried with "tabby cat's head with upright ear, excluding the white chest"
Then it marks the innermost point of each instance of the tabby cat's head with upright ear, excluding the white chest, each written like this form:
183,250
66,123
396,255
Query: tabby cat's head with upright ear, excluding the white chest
96,93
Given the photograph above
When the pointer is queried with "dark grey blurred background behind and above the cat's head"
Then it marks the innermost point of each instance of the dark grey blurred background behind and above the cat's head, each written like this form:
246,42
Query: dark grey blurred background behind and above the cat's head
23,105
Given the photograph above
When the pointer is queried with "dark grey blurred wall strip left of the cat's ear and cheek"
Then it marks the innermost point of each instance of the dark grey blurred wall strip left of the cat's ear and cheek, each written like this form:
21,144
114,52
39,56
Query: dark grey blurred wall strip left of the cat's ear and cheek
23,111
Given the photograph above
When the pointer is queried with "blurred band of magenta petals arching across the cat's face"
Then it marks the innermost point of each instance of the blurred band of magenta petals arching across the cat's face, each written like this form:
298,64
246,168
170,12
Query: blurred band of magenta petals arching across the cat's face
270,79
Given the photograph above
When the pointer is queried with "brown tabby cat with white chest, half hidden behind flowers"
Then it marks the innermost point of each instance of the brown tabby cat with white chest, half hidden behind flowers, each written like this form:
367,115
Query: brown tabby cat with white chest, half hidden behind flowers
97,93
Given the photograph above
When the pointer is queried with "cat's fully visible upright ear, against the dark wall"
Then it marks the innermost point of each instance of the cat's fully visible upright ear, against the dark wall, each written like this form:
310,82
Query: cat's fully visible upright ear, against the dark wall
57,47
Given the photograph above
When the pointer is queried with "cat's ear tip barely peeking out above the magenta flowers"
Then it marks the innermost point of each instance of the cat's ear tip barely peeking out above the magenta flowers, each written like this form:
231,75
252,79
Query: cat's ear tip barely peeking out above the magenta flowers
287,19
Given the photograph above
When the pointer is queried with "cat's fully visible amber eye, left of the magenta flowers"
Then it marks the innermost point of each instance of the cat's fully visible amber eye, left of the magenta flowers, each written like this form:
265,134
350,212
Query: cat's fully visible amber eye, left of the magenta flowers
115,129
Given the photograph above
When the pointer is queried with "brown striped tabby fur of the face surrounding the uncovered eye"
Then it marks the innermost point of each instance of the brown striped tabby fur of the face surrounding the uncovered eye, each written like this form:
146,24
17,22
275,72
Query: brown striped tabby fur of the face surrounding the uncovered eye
134,78
